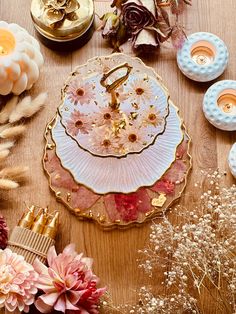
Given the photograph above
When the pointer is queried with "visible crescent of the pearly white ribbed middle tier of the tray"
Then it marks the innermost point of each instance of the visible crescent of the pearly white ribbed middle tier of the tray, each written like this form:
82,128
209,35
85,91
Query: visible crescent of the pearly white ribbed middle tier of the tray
119,175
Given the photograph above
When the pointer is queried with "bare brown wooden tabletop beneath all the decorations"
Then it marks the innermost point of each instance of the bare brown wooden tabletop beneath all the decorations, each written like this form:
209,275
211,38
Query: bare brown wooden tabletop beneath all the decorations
115,252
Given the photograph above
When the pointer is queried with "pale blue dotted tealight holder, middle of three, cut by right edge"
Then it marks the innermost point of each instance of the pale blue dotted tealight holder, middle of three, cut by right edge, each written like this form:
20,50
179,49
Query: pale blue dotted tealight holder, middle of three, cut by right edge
219,105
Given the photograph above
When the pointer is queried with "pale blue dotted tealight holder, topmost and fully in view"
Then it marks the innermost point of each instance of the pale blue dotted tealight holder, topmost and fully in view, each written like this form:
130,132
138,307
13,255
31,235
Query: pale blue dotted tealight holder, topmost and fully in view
203,57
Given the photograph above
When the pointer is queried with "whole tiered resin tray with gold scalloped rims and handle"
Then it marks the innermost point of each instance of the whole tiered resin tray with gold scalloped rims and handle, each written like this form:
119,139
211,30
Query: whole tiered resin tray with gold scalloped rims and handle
116,151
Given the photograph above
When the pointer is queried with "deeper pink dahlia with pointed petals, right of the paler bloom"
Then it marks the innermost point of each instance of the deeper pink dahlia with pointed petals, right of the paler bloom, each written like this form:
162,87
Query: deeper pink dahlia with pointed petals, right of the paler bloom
68,283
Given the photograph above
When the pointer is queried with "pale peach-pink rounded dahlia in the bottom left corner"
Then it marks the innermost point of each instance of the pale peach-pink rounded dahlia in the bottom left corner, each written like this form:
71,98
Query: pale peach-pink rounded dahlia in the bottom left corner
17,282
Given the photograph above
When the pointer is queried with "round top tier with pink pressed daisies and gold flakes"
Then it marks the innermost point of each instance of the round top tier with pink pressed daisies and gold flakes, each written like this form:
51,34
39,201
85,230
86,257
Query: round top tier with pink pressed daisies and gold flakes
112,111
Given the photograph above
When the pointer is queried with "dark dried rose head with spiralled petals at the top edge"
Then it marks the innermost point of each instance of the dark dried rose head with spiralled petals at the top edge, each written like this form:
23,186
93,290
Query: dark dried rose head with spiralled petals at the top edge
137,15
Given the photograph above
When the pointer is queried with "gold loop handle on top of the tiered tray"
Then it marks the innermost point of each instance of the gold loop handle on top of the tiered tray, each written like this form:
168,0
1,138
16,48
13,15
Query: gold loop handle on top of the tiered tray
110,88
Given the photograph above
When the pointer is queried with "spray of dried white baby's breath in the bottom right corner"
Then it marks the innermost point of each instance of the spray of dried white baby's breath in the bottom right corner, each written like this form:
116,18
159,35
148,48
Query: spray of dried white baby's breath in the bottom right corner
197,256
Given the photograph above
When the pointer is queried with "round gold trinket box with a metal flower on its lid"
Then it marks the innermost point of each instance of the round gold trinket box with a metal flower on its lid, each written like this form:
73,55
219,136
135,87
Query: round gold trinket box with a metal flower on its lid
63,24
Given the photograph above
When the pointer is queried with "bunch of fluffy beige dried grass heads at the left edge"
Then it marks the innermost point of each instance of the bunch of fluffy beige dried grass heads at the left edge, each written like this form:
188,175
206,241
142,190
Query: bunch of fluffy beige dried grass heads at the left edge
15,111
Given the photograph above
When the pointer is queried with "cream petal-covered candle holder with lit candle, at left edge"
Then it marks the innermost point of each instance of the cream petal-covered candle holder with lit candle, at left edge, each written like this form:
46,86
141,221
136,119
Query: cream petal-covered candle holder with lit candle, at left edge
20,59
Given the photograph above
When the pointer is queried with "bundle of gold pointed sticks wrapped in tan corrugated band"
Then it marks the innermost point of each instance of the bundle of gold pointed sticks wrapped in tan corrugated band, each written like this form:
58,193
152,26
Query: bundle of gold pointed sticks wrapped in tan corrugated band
35,234
